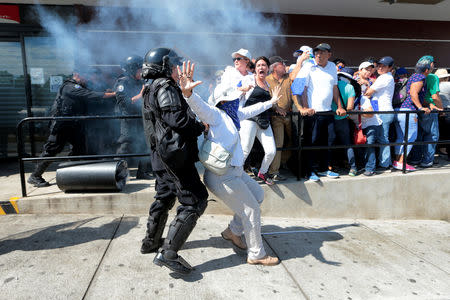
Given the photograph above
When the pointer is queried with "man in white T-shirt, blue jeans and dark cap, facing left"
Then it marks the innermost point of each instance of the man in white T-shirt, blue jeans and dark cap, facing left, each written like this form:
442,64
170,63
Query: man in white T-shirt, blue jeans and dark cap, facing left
381,93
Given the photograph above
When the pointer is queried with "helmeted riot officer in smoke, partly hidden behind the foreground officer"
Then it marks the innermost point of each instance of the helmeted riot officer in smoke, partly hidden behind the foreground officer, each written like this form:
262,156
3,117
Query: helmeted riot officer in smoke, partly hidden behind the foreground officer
128,88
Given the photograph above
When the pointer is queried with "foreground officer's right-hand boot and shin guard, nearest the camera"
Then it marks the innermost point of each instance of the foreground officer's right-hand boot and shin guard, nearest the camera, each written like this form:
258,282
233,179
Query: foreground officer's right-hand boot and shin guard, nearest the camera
179,231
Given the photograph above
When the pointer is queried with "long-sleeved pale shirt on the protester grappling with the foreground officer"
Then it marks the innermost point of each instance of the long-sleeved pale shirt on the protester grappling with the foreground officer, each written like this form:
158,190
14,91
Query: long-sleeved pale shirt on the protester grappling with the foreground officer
221,127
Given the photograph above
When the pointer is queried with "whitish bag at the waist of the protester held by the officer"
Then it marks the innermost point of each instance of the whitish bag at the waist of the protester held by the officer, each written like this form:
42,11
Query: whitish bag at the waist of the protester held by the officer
214,157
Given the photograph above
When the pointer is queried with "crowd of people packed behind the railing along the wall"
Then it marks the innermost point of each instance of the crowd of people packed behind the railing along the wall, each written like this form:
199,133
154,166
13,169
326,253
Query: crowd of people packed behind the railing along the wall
324,92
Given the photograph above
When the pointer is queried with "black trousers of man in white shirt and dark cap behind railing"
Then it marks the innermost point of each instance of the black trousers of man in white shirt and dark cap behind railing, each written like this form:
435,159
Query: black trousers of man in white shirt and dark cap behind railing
318,131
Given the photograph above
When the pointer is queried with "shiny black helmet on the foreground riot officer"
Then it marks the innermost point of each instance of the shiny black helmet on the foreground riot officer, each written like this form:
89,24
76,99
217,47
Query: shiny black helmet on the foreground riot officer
158,63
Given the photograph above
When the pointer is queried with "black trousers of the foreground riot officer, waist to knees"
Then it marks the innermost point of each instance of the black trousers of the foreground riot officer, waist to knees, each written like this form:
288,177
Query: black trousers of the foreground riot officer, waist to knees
184,184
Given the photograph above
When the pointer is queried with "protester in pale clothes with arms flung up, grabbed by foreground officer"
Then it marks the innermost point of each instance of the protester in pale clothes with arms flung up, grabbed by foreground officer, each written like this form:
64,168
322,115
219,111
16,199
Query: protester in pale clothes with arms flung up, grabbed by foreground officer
235,188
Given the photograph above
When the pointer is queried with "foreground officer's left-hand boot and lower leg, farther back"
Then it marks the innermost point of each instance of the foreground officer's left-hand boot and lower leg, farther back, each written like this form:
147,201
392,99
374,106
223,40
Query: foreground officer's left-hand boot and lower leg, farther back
155,227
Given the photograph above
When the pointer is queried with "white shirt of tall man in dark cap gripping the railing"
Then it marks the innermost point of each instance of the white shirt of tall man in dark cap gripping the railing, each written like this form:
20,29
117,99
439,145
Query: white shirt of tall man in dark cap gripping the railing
320,83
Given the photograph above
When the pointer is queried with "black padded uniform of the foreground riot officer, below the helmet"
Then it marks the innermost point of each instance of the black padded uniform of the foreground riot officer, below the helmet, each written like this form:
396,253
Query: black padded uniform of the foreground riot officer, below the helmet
163,99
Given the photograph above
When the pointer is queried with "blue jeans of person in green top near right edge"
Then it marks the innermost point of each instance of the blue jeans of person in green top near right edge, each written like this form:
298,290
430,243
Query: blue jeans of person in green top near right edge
428,131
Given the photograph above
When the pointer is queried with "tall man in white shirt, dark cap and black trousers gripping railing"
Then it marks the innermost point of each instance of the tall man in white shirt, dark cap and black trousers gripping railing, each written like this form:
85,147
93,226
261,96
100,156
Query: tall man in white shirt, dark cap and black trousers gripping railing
315,88
